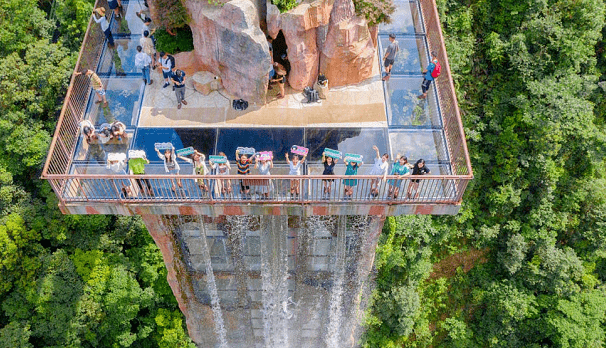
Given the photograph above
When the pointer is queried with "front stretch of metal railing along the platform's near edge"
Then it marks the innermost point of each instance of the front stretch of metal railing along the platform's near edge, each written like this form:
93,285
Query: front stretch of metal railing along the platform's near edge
434,189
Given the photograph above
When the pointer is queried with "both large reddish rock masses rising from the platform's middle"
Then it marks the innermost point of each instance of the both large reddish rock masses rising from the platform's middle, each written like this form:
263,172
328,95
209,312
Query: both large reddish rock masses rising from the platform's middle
320,37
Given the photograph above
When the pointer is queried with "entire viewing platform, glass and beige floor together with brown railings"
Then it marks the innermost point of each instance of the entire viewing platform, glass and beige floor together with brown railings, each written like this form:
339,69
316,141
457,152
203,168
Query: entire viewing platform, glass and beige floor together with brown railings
352,119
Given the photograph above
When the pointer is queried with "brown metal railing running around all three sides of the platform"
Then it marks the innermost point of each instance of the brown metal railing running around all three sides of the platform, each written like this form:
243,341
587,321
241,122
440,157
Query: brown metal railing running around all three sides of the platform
72,187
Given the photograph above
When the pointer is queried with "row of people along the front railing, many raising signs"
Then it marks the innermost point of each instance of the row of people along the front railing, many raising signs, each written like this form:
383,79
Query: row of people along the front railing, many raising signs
262,164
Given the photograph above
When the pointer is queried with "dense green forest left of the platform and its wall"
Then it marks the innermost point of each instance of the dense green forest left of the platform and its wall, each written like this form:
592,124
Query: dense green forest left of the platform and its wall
65,281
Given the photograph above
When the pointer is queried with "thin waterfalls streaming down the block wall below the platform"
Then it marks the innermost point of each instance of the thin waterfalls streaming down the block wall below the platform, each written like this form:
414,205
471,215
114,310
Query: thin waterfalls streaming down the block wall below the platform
272,284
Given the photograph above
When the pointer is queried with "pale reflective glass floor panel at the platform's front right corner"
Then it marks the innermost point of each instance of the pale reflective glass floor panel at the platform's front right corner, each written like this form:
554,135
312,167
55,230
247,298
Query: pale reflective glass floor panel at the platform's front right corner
415,144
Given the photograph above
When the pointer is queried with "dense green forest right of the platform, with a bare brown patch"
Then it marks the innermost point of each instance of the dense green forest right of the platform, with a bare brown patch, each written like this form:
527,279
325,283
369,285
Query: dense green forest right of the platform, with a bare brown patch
524,263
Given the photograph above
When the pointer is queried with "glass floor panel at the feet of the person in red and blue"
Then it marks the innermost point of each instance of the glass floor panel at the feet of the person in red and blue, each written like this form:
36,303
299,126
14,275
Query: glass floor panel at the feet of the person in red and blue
403,106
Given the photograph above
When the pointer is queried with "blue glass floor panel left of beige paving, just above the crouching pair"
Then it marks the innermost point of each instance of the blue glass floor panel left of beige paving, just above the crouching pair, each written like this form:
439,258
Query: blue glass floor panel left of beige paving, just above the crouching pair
124,98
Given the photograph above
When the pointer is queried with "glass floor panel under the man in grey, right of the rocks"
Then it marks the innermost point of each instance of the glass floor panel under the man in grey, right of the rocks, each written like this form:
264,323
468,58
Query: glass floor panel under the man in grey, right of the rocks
412,57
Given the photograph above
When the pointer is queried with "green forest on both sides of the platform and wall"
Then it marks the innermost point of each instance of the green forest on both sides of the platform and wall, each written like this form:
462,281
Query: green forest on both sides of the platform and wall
522,265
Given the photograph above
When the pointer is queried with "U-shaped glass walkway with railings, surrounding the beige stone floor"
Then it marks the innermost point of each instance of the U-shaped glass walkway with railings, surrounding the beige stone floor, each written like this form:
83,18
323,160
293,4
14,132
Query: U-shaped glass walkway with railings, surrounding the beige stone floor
430,129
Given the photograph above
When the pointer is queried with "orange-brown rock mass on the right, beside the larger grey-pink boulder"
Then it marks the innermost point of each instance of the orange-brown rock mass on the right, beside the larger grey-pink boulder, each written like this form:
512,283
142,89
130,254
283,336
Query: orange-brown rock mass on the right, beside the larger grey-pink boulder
324,36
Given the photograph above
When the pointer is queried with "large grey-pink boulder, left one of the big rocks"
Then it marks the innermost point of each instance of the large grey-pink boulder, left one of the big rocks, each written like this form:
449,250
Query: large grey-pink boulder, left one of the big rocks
228,42
